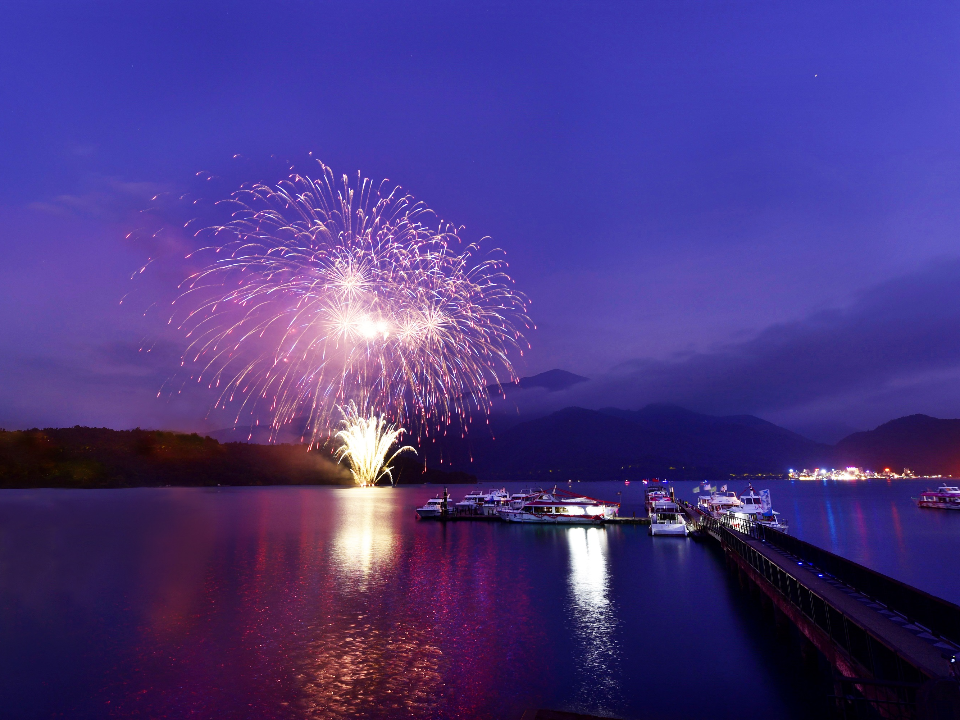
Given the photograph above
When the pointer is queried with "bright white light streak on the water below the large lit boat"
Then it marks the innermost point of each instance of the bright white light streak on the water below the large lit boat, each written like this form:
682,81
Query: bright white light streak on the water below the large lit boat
594,617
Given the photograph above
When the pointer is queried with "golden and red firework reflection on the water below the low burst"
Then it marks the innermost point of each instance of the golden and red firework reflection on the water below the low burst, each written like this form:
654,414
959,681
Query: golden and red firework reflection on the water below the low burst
360,657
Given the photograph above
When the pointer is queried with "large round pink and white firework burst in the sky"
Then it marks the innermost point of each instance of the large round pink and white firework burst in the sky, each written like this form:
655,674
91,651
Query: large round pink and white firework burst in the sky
323,293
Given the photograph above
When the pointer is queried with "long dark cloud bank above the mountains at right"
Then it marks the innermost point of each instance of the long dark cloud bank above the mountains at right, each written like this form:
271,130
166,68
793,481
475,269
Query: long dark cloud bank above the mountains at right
888,351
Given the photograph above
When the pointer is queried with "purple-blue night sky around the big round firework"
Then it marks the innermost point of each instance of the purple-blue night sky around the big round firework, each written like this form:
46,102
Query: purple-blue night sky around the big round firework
736,207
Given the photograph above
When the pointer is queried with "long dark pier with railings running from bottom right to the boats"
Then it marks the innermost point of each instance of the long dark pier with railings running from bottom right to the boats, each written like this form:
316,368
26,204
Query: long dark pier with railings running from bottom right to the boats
894,648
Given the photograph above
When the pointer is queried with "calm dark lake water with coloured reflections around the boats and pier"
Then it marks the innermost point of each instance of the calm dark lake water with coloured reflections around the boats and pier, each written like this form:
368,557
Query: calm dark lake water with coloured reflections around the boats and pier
337,603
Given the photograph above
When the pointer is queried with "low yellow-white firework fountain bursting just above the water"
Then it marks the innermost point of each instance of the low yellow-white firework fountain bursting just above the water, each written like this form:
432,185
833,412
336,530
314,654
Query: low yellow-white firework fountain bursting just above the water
366,442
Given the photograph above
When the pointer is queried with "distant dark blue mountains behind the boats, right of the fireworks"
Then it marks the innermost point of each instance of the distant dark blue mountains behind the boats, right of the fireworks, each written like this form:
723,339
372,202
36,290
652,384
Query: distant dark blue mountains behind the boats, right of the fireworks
661,440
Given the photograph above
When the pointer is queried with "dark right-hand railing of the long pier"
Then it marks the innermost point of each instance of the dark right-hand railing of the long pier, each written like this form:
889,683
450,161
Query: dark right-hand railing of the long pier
932,613
